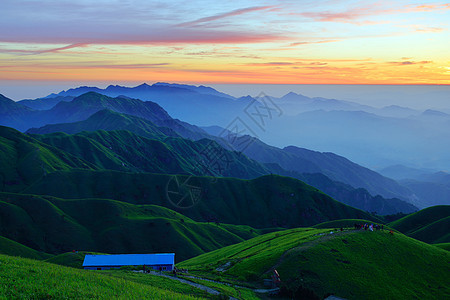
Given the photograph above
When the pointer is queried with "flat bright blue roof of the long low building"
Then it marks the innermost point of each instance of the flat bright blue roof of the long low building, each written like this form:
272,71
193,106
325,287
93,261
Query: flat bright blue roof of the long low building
129,259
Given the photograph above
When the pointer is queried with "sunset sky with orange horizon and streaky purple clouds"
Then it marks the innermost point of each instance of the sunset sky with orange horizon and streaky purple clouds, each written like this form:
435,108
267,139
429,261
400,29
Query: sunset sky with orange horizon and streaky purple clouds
52,43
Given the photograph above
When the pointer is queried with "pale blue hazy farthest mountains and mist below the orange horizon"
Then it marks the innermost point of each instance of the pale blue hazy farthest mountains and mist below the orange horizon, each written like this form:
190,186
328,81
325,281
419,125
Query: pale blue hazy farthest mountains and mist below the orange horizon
373,137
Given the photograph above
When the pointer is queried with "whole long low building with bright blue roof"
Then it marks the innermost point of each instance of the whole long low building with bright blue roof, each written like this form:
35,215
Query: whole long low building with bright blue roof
157,261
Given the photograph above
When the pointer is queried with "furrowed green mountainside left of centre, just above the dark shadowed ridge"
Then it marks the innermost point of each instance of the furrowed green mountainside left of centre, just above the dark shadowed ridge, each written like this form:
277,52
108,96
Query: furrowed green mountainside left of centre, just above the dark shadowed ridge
125,151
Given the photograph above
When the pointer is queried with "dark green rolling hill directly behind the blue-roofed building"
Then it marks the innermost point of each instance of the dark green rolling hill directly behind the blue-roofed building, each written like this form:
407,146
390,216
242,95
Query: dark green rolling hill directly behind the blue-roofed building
56,225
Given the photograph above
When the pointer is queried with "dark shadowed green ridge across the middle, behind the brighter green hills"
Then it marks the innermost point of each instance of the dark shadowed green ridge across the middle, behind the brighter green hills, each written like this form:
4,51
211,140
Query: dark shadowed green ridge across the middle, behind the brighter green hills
268,201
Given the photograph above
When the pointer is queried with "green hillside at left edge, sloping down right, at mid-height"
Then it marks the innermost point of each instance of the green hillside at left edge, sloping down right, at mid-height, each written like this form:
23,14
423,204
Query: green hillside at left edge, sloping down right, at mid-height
23,160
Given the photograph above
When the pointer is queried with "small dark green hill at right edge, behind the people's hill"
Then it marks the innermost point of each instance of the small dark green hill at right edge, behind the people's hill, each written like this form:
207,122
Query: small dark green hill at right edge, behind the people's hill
429,225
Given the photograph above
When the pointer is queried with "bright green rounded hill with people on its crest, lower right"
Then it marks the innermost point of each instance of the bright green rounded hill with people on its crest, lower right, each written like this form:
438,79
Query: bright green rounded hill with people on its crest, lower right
354,265
